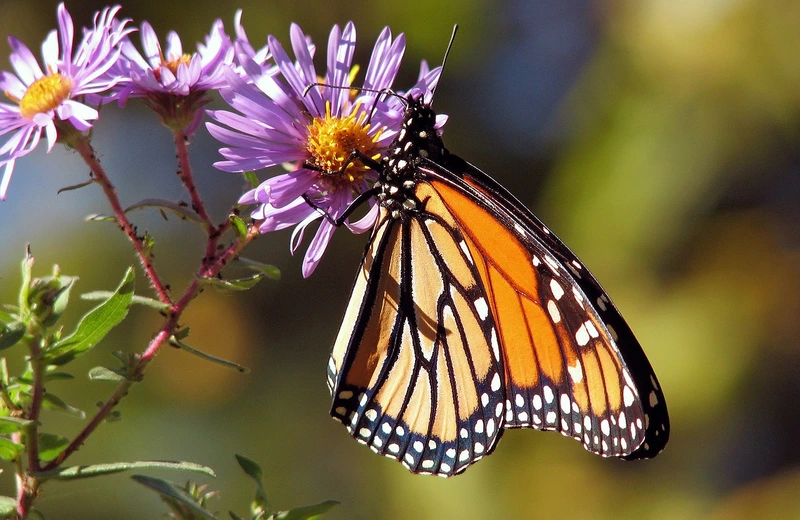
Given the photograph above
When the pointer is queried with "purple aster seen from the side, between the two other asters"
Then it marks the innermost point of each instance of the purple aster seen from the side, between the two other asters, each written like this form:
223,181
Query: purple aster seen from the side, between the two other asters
174,83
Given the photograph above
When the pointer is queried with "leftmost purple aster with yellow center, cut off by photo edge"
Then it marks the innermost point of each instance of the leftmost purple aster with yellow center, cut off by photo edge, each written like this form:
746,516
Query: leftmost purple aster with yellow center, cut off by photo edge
50,101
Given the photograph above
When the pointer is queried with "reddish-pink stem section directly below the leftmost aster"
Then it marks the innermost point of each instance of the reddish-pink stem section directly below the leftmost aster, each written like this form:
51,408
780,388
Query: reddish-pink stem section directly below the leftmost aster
87,153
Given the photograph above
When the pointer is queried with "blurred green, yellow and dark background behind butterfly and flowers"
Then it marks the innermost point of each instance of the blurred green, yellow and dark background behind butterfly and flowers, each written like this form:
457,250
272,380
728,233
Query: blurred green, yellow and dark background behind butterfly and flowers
659,138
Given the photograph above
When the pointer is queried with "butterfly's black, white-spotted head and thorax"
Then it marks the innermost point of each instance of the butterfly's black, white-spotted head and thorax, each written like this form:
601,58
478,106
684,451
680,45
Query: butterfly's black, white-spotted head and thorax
417,141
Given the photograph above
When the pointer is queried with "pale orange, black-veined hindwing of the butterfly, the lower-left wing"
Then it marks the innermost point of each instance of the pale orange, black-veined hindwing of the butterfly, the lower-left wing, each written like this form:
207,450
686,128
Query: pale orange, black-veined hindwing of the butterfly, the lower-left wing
413,371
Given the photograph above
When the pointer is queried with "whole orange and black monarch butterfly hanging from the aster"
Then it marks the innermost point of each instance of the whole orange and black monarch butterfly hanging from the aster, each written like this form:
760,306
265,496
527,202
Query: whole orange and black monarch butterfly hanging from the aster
468,316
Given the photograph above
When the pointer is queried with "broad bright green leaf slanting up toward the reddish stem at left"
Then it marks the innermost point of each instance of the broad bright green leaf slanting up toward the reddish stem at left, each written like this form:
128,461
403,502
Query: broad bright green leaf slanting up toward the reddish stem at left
95,325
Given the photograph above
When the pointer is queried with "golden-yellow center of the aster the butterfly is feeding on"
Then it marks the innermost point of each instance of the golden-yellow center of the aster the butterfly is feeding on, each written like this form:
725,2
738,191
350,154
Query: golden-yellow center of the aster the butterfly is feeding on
332,139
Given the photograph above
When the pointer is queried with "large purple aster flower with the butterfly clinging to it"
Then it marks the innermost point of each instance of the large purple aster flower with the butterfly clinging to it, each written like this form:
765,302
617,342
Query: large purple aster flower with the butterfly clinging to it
282,120
